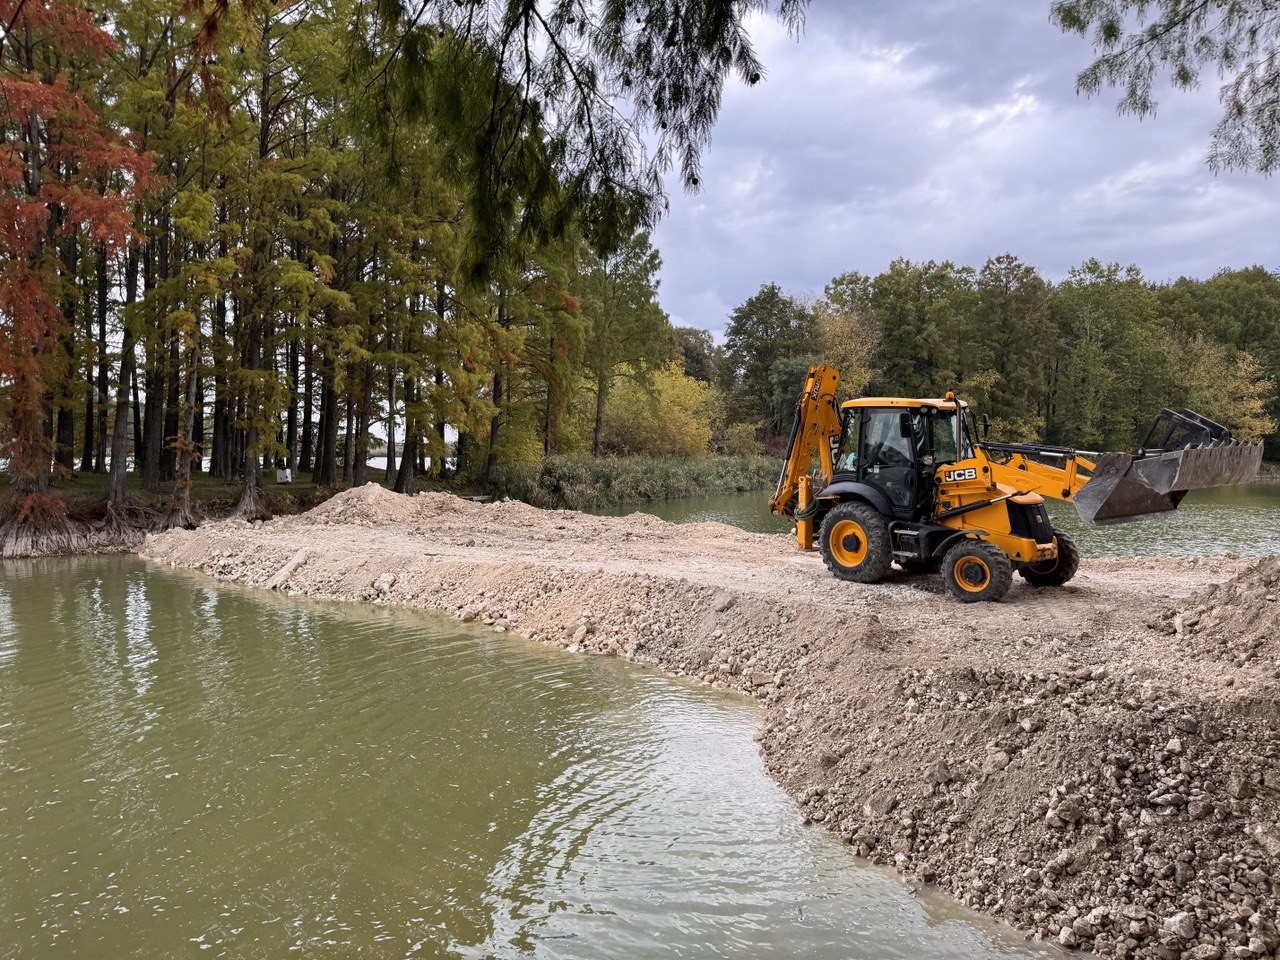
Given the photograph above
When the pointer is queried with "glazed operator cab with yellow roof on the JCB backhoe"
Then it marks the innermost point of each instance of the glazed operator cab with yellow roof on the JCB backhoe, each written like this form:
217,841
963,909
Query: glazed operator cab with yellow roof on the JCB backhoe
897,446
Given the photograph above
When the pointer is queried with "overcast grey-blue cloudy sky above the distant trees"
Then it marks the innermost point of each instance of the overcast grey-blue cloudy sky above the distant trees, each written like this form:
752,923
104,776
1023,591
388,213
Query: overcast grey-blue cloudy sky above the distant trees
948,130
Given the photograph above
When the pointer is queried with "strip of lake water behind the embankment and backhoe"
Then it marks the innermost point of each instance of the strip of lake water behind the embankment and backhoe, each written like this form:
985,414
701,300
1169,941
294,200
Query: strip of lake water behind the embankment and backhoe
1244,520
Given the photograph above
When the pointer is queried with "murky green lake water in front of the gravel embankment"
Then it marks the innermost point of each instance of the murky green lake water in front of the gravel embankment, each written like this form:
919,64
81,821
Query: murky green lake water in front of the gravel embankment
194,770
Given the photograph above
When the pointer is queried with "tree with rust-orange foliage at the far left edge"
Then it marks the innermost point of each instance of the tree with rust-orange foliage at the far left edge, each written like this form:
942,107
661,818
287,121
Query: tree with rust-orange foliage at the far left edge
63,173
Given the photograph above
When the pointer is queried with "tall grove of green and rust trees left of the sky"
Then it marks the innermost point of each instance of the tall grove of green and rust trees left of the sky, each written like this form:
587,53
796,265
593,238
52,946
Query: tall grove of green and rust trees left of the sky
313,231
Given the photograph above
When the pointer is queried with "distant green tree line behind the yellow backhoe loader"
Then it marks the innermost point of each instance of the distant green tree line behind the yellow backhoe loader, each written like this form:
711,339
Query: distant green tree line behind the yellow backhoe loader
1087,362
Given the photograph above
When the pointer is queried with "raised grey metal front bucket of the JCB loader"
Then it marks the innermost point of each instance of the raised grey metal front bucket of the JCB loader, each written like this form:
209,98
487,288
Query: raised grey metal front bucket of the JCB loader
1135,487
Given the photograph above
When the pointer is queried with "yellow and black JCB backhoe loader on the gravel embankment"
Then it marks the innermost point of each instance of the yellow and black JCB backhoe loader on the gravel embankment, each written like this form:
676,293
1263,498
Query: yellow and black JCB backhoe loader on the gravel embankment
904,482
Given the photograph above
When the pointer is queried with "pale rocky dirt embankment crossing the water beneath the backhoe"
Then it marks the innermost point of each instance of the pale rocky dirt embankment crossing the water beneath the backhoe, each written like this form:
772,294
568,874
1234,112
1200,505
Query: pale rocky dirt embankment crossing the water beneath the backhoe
1099,765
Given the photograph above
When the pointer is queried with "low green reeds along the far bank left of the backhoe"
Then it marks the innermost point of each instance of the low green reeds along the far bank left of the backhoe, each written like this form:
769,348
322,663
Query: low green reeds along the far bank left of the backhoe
584,483
